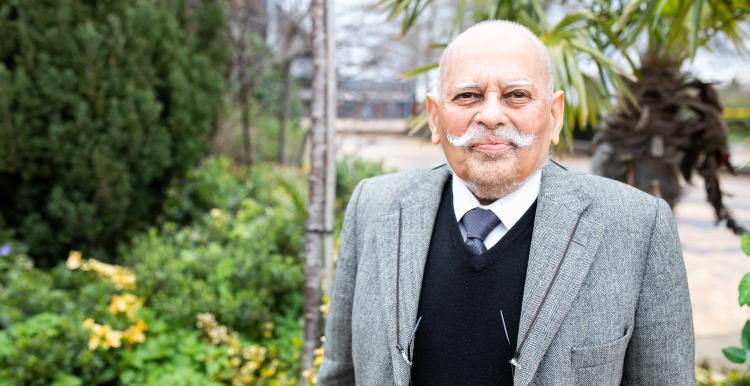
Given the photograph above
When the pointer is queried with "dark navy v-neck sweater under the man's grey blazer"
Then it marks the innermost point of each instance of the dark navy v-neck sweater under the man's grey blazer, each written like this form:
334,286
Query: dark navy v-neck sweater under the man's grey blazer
460,339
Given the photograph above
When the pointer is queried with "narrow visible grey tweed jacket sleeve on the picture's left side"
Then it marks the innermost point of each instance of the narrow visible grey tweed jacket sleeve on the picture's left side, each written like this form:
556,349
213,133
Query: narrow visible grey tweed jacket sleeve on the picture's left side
337,367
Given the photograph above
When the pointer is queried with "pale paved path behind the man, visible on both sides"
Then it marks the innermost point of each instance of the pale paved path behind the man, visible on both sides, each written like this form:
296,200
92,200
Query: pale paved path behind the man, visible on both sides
712,254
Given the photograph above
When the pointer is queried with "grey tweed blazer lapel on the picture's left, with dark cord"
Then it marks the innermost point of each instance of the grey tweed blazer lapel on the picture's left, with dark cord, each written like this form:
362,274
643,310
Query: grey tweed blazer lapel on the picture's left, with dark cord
403,240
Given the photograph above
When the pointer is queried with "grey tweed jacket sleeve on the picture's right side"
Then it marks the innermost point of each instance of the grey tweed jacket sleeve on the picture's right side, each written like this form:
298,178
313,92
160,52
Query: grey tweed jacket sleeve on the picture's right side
661,350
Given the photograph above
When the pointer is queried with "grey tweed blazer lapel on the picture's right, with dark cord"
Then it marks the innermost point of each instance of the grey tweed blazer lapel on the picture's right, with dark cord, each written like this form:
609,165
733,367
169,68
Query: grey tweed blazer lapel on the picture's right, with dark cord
563,246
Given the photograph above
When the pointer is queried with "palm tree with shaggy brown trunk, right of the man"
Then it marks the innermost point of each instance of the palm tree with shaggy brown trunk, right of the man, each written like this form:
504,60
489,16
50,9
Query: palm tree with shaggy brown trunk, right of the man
673,126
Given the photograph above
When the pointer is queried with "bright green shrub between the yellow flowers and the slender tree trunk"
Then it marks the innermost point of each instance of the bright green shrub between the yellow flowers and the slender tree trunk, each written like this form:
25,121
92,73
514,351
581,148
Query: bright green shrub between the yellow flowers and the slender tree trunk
240,260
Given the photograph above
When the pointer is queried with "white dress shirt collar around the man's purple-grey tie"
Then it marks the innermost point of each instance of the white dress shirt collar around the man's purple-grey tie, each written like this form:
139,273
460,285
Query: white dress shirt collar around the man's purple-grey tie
508,209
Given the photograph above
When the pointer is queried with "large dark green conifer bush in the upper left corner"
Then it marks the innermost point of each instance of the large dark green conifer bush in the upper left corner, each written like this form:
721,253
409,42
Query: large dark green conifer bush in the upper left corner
101,104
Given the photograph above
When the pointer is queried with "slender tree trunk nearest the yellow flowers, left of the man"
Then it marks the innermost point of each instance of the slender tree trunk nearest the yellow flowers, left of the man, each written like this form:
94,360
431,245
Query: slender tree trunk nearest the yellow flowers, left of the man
315,226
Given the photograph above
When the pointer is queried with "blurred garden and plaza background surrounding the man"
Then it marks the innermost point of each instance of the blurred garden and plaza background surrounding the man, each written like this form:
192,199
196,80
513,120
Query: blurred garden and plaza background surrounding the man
173,174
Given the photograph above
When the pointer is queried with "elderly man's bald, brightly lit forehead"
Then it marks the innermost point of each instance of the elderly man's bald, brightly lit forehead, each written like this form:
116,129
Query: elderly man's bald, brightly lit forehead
491,58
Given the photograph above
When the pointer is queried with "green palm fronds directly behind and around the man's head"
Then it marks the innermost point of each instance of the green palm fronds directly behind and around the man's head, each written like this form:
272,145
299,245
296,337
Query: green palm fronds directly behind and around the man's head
570,41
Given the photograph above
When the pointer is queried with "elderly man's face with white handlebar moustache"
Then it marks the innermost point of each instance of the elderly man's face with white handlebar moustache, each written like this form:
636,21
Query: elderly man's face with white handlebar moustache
490,82
